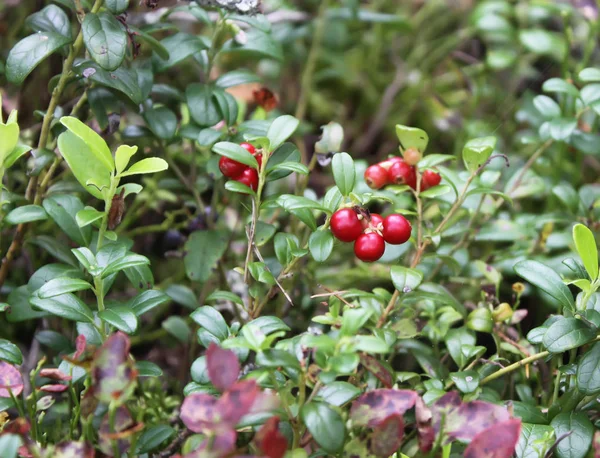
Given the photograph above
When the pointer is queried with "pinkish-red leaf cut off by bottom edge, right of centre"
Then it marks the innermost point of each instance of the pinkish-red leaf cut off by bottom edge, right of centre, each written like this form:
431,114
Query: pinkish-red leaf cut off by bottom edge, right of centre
498,441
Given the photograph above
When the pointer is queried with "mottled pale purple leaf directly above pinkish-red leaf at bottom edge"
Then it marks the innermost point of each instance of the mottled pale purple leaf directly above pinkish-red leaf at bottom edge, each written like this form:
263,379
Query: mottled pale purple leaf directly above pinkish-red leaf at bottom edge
471,418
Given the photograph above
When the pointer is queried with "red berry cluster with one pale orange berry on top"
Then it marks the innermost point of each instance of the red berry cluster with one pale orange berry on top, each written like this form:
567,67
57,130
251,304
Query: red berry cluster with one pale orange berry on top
397,170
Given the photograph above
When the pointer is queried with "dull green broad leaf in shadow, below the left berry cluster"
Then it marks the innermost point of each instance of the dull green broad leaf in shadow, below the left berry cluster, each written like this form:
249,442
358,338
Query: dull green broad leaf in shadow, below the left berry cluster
203,251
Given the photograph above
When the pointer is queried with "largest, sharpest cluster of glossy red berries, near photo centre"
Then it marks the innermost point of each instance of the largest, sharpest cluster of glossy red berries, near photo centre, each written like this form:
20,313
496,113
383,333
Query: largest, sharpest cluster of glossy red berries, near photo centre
369,231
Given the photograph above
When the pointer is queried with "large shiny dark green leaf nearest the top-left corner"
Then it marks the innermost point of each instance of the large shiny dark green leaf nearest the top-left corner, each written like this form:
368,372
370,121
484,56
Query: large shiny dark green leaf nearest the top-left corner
29,52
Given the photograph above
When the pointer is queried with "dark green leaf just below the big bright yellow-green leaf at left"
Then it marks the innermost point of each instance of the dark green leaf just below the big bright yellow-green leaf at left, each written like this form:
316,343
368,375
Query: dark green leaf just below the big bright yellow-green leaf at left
62,208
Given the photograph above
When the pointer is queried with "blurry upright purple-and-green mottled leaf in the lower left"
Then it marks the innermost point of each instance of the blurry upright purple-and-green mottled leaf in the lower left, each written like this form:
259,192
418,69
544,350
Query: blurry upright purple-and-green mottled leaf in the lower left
113,373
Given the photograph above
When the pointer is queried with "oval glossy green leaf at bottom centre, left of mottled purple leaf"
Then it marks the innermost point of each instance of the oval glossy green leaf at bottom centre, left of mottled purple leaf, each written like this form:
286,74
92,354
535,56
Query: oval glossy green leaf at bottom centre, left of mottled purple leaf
326,426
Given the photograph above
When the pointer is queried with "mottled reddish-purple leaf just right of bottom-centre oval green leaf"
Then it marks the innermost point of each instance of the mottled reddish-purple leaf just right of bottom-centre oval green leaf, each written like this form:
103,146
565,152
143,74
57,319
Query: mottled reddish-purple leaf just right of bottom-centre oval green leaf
375,406
